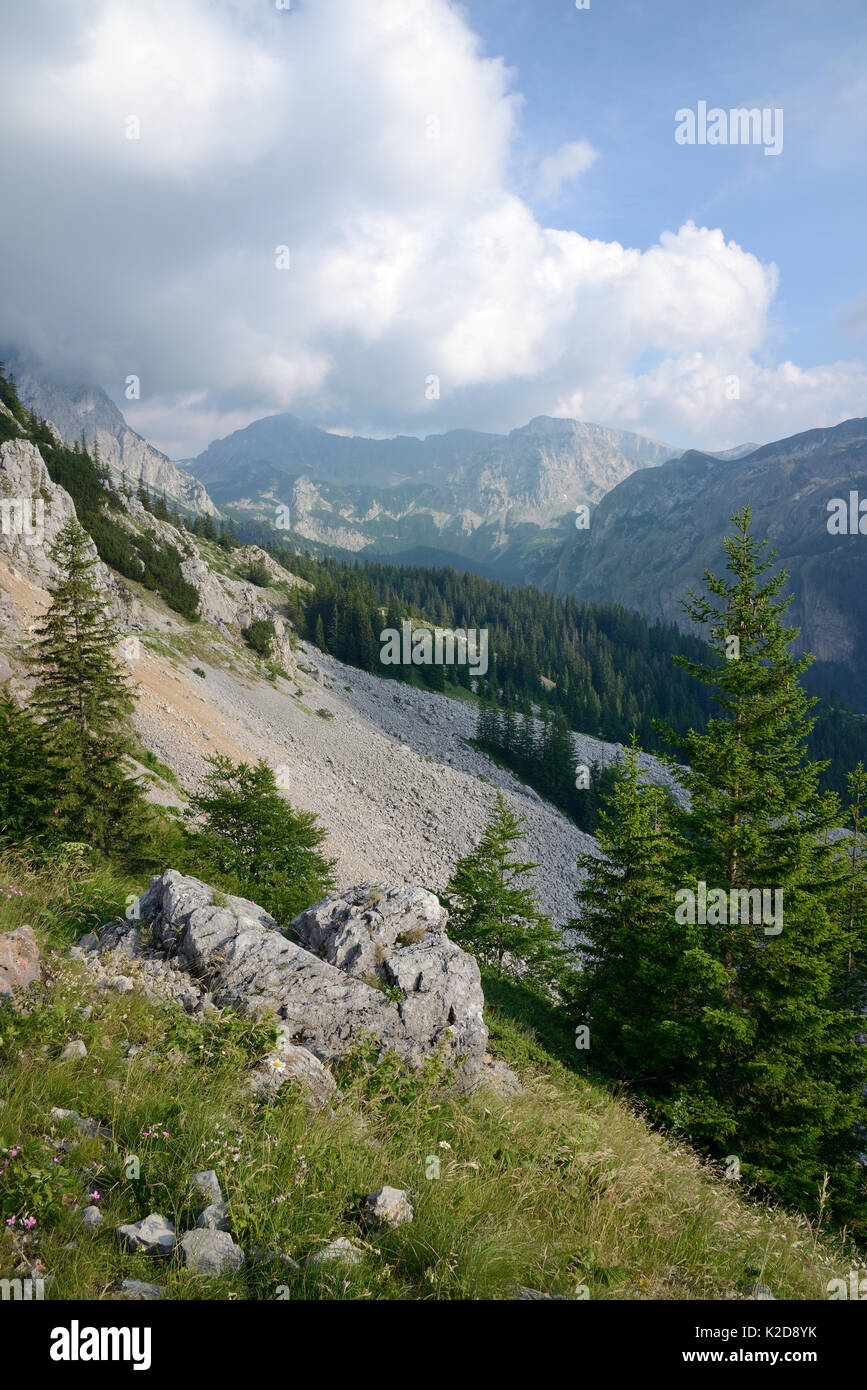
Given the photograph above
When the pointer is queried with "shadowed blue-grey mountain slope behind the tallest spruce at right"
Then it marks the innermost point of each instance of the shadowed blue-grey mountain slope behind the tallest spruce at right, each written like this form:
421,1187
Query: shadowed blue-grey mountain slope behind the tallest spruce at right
655,533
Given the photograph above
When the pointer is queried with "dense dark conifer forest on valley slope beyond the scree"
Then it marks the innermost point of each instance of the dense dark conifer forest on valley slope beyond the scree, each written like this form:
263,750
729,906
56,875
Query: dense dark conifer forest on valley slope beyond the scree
608,672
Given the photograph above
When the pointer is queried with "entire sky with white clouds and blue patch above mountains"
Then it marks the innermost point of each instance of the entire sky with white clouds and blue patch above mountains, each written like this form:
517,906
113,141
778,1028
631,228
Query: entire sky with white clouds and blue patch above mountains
412,216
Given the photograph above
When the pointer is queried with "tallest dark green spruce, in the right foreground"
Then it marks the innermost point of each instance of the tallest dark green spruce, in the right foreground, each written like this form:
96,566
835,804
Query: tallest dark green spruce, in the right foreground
780,1070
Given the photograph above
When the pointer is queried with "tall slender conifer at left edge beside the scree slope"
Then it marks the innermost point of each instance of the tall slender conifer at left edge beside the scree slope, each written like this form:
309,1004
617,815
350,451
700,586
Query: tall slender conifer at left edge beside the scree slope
84,700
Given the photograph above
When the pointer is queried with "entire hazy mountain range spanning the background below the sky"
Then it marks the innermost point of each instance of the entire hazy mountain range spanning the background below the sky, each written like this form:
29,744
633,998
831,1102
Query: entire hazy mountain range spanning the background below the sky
505,505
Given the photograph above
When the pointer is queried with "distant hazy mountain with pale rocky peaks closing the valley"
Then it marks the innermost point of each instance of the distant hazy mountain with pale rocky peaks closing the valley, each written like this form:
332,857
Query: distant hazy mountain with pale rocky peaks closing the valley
484,497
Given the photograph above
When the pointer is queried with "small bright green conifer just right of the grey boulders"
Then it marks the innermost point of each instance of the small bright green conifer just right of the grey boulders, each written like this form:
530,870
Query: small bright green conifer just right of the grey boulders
494,914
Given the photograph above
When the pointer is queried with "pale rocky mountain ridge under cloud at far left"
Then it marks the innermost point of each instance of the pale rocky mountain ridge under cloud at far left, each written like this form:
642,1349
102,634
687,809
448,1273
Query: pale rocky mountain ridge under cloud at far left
74,407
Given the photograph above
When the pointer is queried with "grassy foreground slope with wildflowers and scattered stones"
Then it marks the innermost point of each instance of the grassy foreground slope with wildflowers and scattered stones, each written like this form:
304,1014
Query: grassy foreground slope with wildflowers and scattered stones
559,1188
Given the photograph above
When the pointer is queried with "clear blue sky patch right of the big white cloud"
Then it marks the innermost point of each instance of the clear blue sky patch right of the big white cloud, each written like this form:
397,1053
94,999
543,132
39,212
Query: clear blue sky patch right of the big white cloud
616,74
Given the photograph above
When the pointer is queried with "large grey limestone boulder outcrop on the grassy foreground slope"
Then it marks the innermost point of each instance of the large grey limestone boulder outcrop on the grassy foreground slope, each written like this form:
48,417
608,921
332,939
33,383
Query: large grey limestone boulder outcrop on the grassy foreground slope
374,963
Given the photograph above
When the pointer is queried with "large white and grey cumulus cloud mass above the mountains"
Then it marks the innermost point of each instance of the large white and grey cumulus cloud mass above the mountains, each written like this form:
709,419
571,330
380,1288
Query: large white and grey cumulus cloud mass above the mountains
373,140
